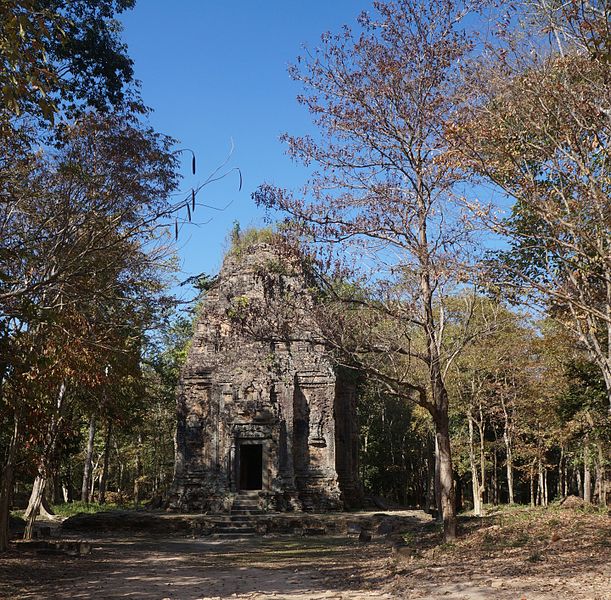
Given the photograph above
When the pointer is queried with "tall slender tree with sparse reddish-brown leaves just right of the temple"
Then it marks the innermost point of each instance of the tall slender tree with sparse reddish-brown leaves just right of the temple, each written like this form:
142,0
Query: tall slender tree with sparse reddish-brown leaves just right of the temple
384,201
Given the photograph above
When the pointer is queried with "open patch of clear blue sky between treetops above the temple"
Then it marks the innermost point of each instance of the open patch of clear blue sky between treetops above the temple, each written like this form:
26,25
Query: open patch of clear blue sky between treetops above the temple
215,71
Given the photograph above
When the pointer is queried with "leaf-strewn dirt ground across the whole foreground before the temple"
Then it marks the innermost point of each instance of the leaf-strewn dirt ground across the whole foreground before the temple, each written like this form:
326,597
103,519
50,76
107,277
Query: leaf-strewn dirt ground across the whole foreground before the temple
557,555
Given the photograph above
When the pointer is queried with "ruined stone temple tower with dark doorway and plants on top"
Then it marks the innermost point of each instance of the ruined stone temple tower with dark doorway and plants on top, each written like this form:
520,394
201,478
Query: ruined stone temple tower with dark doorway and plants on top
261,408
